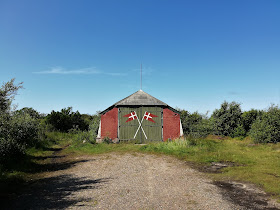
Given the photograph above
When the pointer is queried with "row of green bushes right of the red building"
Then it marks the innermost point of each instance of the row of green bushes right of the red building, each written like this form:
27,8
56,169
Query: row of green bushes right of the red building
263,126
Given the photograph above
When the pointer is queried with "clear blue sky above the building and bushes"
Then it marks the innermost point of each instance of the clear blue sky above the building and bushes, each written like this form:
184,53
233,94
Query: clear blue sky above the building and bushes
195,54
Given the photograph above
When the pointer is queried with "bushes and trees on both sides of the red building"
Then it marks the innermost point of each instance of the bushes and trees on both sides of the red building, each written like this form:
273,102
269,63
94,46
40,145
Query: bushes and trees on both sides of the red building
25,128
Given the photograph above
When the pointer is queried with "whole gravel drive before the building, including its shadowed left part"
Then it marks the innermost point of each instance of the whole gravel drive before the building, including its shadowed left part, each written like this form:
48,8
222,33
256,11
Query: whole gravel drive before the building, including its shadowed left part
126,181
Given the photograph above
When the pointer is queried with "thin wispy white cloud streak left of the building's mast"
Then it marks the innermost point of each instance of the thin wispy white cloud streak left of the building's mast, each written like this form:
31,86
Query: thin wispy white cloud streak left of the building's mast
91,70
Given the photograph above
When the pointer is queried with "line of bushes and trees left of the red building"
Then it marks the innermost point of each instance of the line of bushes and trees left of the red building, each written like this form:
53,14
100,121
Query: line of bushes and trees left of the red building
25,128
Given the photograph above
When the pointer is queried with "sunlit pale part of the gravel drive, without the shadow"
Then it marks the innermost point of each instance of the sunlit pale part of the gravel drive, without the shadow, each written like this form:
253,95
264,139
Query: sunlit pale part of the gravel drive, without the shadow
148,182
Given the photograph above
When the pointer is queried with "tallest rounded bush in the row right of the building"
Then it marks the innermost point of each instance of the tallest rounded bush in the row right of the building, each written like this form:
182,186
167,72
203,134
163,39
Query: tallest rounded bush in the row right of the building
227,119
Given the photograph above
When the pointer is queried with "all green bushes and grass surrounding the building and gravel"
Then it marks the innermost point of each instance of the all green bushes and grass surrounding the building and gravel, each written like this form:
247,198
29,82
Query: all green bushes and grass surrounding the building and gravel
248,141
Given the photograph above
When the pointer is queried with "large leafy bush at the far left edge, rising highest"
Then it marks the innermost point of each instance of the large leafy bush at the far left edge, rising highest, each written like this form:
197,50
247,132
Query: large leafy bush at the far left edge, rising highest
17,130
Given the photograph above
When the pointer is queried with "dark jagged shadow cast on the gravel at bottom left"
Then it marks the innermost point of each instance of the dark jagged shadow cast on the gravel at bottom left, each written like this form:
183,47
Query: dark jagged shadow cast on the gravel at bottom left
53,193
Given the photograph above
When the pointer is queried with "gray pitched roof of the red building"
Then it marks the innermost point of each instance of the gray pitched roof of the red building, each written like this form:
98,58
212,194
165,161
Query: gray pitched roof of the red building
139,98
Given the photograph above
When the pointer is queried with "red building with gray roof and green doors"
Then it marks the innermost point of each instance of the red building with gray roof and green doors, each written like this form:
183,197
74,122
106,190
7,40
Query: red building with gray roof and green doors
140,117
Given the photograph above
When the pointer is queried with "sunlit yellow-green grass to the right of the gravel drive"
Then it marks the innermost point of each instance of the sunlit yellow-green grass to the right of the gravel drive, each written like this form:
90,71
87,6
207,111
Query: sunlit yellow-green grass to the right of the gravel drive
258,164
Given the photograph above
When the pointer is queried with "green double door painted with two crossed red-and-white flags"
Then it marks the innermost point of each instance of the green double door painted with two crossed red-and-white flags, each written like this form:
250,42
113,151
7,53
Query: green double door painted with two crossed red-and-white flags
149,117
